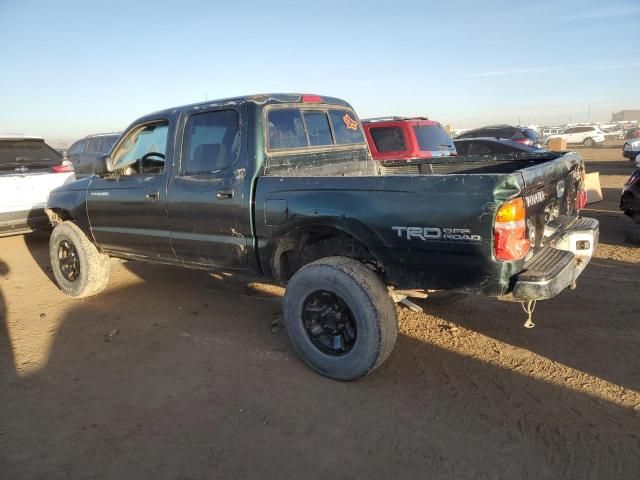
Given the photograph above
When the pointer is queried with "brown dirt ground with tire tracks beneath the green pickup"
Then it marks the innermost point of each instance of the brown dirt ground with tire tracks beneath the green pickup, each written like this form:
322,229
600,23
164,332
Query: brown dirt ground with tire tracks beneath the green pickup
195,384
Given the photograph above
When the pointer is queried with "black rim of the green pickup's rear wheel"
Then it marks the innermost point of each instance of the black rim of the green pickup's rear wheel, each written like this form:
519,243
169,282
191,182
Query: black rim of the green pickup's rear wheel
329,323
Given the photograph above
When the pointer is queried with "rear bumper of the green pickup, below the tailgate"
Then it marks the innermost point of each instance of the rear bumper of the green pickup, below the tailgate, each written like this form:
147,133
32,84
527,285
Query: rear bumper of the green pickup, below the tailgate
556,267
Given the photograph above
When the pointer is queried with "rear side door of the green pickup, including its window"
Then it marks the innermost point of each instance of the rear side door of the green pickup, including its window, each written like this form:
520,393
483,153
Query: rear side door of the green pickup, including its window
206,195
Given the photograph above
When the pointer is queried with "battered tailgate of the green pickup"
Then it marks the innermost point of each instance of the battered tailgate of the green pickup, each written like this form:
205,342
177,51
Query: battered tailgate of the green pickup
551,194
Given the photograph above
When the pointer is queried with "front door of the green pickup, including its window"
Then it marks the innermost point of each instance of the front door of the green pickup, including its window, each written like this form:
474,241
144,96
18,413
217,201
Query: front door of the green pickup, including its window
127,209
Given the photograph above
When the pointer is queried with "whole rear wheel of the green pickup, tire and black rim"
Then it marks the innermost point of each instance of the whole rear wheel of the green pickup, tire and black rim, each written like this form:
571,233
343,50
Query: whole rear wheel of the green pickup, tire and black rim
340,317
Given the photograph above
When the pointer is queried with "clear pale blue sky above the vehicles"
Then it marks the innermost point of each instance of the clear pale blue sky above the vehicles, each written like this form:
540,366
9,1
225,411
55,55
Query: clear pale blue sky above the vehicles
72,68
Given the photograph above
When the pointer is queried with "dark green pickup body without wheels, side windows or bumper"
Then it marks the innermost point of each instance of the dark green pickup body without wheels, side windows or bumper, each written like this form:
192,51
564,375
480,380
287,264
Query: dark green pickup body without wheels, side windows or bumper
271,211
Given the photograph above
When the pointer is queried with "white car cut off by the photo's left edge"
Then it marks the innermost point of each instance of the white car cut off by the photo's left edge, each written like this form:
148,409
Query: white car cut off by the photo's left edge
29,170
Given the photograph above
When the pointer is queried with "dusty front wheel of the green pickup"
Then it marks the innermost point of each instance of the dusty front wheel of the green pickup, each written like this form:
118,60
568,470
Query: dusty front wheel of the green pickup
78,267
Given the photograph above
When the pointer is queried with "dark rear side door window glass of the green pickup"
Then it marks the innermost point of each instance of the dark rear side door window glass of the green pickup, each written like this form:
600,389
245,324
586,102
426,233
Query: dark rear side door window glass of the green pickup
211,142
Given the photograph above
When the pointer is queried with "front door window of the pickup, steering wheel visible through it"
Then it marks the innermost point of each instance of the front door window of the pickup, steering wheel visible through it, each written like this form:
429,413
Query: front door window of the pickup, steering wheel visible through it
143,151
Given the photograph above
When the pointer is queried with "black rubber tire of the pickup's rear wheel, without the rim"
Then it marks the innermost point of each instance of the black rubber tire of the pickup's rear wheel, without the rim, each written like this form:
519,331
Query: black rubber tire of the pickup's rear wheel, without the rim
370,303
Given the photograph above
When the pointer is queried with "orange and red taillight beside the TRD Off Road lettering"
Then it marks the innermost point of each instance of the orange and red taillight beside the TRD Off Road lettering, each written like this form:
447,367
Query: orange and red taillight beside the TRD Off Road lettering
510,240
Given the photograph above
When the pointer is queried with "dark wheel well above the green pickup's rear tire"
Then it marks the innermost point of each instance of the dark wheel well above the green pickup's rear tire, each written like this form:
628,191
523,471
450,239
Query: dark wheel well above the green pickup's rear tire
308,244
